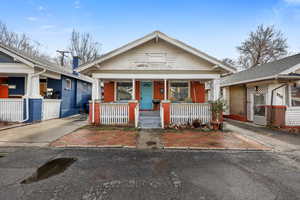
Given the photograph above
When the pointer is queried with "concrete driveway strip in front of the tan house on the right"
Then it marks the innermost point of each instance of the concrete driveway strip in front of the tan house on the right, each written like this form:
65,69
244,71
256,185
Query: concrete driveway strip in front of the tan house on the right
277,140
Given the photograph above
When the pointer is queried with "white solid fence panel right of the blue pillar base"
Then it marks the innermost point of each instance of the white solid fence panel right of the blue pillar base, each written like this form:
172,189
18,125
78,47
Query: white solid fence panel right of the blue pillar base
50,108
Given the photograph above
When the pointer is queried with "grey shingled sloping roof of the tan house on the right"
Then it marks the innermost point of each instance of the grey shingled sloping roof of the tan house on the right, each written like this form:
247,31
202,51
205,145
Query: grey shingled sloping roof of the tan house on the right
271,70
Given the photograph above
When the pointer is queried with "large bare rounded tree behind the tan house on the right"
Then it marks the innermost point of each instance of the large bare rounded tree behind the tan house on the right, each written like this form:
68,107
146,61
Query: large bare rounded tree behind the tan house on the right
264,45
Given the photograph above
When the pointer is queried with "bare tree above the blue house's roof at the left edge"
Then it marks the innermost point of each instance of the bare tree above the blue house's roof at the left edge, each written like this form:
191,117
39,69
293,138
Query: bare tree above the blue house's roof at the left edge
21,42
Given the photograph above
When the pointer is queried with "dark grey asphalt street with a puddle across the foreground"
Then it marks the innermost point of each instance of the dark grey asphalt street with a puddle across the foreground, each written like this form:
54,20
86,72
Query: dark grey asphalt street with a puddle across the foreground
129,174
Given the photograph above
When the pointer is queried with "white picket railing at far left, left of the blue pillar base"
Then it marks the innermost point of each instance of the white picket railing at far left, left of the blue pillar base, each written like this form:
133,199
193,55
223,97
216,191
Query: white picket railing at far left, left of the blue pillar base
11,110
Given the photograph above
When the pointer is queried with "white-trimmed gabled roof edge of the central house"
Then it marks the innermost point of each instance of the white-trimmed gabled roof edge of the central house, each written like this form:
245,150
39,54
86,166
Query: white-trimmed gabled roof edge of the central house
158,35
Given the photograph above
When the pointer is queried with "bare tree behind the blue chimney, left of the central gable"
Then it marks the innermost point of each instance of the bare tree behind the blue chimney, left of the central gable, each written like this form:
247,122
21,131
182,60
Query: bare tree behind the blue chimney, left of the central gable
84,46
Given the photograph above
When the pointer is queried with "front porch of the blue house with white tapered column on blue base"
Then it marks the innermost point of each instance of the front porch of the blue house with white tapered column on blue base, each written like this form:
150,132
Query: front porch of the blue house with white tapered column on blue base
27,98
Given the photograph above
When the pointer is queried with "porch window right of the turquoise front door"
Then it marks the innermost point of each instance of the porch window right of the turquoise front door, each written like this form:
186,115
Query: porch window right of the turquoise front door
179,91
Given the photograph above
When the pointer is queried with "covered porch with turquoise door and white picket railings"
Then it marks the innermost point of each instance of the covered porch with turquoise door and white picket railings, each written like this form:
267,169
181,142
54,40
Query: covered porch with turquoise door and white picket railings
176,98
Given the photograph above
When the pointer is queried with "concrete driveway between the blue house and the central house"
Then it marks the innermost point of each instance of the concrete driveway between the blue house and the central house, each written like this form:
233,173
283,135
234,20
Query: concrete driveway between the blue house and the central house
41,134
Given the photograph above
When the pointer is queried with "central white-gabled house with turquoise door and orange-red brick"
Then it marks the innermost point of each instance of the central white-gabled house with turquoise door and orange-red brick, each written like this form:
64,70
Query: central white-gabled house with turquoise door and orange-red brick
155,72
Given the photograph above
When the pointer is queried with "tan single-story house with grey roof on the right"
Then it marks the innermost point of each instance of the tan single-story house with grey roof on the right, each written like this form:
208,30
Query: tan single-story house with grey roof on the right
267,94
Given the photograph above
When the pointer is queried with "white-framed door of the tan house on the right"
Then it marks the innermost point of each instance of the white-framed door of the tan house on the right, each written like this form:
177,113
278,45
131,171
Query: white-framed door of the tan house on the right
259,101
